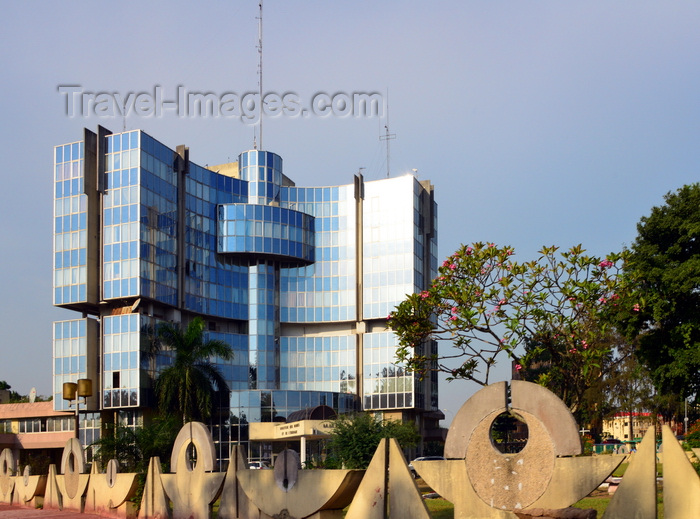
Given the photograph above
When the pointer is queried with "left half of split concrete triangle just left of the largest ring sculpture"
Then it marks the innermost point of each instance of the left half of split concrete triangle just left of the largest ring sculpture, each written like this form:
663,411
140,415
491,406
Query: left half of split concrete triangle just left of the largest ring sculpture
369,501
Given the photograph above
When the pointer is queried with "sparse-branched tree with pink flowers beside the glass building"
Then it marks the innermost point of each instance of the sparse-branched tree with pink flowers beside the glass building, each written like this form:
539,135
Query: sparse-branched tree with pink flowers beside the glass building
485,305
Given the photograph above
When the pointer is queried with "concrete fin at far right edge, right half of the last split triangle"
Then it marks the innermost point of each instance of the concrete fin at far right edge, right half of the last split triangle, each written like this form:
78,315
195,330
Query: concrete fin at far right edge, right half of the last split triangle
681,482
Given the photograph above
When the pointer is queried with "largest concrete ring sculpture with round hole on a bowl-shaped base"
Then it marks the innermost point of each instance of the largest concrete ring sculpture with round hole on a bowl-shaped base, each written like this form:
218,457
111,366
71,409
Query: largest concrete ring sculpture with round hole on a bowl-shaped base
484,483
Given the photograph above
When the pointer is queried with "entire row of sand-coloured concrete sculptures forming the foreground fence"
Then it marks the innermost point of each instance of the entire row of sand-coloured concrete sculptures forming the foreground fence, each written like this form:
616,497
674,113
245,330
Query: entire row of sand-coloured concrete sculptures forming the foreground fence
478,479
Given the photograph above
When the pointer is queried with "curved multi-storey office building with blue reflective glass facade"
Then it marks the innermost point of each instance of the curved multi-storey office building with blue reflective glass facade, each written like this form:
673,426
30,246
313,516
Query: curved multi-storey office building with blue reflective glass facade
297,280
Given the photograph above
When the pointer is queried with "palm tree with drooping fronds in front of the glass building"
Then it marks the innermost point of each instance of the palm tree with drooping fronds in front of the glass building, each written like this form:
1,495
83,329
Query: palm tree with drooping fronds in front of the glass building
189,383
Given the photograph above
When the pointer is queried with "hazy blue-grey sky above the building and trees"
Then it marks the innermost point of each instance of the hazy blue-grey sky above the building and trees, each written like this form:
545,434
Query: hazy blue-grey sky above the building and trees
538,122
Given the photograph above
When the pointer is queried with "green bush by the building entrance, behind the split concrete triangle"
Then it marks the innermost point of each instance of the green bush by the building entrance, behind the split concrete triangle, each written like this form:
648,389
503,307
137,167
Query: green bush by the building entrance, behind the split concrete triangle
354,439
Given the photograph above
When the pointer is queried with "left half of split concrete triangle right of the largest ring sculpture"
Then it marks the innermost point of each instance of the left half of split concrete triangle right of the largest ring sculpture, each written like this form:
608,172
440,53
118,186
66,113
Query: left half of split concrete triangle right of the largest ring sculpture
635,498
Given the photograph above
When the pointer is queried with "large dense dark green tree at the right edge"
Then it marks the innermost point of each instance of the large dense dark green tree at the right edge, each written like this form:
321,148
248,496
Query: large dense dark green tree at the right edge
664,269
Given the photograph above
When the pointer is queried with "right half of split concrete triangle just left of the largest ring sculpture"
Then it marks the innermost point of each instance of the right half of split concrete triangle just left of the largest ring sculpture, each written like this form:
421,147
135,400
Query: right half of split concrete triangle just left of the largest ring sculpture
405,500
